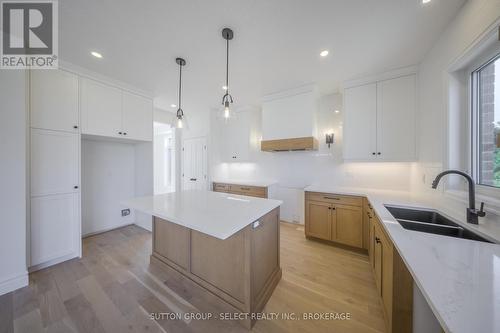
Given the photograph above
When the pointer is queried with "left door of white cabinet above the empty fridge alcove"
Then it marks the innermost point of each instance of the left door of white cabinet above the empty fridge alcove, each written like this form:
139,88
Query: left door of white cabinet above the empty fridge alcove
101,109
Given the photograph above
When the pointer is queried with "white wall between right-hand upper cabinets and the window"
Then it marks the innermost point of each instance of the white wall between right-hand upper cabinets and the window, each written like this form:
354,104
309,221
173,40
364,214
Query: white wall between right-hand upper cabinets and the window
435,82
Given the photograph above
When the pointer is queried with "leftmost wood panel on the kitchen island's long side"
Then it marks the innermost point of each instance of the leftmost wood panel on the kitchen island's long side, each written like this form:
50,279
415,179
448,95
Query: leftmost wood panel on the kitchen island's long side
171,241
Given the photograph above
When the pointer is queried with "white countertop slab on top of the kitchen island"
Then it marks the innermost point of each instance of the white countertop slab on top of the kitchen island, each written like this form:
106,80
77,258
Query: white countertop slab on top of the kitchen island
220,215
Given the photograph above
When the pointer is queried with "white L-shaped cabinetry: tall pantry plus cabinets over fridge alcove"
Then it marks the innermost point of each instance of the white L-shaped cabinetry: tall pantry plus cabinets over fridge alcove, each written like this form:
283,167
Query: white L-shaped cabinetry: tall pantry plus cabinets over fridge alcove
58,100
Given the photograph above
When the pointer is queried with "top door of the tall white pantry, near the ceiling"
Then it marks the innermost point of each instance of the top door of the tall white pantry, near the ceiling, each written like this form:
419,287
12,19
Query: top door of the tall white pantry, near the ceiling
54,100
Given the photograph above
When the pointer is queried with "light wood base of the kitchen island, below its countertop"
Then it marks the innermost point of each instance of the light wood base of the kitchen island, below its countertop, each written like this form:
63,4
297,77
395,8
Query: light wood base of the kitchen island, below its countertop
242,270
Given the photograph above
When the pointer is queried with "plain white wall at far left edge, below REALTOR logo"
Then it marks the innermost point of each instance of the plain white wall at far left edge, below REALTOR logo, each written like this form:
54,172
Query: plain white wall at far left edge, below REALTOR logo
13,152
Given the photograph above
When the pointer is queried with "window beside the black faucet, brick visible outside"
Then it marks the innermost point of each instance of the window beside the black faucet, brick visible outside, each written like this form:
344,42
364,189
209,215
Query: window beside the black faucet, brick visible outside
485,89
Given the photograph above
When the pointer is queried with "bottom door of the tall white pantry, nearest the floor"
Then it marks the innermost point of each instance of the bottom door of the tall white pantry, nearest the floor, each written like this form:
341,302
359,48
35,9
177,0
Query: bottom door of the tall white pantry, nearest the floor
55,223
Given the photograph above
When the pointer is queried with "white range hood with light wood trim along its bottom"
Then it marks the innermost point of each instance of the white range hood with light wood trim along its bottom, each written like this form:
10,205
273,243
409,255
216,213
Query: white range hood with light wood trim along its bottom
289,120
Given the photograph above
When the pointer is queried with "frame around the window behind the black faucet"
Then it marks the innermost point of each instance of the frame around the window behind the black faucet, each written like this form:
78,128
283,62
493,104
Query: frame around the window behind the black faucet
472,72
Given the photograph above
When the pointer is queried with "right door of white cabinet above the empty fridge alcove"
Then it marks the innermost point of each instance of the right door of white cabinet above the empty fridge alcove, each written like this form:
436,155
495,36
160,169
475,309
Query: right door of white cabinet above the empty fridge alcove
137,121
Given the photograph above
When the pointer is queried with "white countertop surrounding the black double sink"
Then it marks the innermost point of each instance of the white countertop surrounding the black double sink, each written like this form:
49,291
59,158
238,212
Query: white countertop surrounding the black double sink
459,278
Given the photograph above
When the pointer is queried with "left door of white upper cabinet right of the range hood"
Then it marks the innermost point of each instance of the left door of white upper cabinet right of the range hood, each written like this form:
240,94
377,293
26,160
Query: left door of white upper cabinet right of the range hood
360,120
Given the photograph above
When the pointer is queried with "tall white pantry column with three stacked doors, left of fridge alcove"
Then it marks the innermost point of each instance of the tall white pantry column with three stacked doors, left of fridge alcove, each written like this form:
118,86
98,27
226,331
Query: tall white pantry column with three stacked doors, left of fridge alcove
54,167
